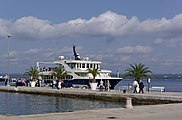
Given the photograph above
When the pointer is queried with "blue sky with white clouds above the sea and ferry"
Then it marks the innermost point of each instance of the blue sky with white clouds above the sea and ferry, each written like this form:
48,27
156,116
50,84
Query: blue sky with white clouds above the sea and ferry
116,32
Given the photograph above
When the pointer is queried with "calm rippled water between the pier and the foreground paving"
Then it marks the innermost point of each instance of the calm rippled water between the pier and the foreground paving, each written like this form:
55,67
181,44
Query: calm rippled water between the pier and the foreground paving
23,104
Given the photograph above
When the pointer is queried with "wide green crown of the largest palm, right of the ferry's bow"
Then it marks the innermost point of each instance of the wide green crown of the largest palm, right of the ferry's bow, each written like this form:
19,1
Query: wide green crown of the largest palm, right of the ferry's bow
137,71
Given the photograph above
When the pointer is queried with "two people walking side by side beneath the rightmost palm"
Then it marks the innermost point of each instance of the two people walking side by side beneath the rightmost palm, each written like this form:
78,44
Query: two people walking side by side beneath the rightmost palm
138,86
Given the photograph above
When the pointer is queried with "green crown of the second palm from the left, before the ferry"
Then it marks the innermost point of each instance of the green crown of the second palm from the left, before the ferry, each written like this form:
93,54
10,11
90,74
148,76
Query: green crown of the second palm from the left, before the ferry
59,73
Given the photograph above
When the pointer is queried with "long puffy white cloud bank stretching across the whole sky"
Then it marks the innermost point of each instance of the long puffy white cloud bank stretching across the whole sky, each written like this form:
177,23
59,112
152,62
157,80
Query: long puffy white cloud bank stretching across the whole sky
107,24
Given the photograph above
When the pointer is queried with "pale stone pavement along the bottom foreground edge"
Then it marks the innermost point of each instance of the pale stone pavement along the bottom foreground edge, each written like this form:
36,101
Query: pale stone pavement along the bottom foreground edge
146,112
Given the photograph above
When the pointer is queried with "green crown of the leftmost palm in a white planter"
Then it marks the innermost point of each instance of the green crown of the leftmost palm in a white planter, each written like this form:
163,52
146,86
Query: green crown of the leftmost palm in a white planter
33,72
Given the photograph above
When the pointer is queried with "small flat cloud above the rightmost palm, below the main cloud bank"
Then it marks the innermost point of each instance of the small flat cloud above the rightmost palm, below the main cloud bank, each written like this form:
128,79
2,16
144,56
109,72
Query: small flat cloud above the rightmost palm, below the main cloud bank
134,49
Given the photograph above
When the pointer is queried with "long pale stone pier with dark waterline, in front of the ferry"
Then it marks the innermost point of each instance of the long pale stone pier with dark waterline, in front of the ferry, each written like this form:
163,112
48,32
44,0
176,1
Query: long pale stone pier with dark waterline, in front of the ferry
118,96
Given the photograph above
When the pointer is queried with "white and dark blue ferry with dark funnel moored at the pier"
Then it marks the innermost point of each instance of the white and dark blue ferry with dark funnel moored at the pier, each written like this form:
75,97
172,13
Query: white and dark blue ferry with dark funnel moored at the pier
77,70
